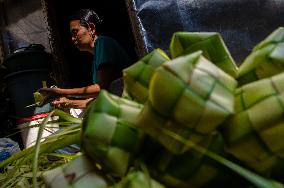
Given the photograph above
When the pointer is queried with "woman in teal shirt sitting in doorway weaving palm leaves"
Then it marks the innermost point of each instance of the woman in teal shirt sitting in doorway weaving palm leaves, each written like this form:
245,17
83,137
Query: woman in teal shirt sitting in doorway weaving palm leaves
108,61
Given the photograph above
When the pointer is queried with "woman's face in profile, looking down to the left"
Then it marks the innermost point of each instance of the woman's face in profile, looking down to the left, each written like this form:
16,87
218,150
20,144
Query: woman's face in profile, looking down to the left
82,37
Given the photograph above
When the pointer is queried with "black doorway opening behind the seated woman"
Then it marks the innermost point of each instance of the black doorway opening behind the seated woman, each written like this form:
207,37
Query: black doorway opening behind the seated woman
116,24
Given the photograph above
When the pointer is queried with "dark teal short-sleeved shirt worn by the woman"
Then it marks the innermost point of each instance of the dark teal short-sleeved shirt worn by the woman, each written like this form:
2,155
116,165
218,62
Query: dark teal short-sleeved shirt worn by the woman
108,51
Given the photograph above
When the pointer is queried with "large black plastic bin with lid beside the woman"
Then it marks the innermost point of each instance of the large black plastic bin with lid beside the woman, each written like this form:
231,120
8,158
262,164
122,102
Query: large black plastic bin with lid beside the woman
26,69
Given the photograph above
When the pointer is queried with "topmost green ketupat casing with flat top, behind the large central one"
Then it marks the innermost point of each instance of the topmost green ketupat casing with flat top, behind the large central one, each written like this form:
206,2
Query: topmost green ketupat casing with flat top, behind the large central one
212,45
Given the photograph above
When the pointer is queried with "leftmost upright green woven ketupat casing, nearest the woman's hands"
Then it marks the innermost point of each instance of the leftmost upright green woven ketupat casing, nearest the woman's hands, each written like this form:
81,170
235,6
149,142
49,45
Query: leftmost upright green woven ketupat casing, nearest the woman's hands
109,136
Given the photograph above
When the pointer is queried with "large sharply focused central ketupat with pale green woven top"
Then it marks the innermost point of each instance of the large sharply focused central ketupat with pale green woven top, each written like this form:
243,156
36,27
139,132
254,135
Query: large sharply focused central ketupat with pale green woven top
193,91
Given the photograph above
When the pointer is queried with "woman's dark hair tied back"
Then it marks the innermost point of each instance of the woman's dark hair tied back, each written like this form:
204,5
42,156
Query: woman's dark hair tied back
86,16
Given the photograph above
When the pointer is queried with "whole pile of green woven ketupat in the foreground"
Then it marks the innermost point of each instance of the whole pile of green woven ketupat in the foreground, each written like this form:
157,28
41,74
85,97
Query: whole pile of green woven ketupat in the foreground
191,99
